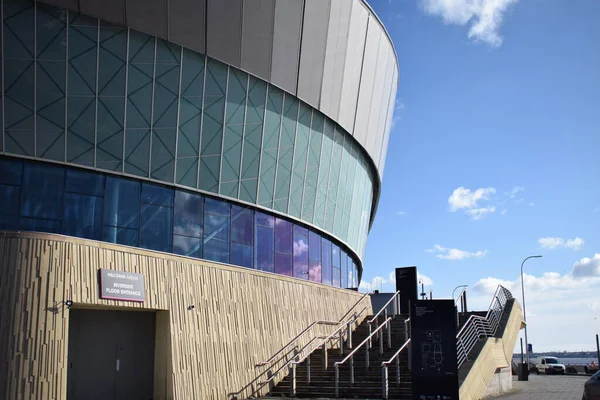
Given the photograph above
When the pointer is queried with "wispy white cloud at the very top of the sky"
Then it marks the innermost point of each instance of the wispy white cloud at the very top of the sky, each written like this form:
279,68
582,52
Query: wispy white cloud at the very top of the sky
484,17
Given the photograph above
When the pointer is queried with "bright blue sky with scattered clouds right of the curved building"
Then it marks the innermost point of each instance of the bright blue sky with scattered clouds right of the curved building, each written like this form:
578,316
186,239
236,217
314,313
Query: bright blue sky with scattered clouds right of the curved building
494,156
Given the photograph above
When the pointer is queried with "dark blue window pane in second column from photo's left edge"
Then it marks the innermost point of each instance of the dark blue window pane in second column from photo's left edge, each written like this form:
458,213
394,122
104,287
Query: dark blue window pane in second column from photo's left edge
42,191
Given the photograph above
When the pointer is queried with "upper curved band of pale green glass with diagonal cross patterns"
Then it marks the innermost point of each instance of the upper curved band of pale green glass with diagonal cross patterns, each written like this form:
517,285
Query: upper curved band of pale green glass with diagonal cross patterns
85,92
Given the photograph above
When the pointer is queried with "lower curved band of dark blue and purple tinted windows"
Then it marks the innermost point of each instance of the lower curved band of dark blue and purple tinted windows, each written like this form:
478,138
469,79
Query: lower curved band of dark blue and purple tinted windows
43,197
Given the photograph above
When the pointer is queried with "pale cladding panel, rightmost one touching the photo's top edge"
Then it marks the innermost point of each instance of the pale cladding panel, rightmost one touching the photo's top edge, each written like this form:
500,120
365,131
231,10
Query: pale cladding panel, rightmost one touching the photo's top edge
352,65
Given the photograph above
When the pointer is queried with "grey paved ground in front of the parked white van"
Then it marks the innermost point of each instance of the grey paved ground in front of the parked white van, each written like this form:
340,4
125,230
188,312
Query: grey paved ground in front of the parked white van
547,388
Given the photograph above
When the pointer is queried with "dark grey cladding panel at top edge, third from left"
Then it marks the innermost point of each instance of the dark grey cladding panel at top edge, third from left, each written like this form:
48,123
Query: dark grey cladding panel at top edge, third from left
148,16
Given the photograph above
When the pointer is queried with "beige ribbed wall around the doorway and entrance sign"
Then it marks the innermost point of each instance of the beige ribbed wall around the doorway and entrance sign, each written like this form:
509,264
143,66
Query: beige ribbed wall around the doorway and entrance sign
241,317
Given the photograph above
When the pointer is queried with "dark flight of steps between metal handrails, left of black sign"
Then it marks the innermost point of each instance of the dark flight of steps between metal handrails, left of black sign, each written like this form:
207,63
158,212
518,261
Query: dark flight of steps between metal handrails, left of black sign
367,381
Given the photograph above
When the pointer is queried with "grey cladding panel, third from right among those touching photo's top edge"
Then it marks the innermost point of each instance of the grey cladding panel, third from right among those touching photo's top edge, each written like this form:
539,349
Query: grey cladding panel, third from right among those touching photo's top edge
312,51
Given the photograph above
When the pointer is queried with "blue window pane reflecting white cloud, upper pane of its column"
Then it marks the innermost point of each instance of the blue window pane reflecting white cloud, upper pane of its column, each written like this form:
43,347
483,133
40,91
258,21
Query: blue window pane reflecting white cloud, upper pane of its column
188,214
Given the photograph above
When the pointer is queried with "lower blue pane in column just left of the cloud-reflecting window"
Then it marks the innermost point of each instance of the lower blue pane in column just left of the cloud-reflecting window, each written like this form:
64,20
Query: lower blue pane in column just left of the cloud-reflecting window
156,227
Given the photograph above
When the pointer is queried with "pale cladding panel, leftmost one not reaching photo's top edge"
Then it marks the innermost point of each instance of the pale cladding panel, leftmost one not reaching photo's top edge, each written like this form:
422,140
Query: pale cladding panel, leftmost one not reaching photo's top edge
367,79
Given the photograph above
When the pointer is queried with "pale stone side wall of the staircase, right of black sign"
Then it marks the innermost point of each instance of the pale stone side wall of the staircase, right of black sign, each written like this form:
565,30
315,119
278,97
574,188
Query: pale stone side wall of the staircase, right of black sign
495,355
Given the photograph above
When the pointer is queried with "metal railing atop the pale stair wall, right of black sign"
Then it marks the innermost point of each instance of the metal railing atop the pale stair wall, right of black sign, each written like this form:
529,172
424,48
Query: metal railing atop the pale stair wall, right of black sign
477,326
